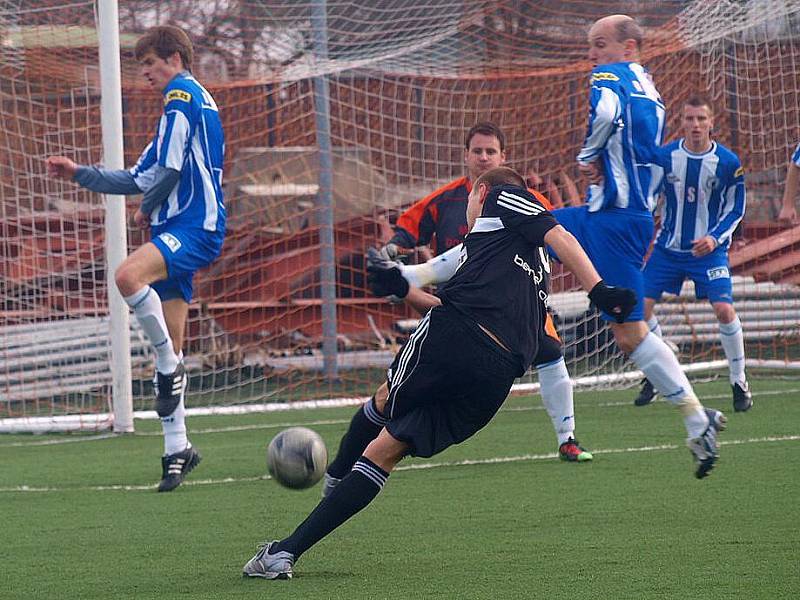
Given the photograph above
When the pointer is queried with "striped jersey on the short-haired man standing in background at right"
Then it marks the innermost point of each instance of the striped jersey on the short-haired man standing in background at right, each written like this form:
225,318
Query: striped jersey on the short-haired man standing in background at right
704,195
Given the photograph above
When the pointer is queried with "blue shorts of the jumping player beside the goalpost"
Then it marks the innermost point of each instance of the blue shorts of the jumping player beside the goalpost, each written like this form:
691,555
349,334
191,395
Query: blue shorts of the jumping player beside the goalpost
185,251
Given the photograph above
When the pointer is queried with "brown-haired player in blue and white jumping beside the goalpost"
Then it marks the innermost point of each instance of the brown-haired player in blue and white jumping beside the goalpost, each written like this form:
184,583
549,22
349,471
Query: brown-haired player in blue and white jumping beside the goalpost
180,175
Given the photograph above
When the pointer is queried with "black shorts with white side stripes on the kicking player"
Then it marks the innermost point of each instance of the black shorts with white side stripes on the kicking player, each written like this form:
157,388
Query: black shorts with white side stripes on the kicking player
446,383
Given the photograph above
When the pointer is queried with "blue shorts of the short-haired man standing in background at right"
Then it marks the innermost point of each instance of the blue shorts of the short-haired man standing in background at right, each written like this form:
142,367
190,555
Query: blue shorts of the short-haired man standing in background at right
666,272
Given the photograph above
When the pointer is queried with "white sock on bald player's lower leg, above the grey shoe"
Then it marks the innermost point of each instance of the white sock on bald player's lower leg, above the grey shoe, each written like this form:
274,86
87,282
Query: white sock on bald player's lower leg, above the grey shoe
661,367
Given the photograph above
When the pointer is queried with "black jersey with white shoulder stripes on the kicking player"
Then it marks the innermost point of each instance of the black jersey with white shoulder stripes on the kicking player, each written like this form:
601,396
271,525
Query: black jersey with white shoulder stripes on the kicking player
501,281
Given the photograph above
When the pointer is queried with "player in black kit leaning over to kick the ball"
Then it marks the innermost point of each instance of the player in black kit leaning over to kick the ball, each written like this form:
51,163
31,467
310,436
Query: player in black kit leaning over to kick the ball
455,371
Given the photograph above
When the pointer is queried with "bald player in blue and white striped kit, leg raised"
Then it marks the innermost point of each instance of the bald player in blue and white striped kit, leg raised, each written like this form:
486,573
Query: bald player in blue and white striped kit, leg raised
615,226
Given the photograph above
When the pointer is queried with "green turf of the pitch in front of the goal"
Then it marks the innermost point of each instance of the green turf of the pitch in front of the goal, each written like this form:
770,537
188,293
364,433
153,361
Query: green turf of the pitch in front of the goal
634,523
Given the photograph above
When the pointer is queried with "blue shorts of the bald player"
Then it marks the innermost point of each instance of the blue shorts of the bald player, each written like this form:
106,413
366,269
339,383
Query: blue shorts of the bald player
616,242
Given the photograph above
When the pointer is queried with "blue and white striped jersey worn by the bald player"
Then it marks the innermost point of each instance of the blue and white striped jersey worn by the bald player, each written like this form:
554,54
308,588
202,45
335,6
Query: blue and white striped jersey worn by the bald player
626,127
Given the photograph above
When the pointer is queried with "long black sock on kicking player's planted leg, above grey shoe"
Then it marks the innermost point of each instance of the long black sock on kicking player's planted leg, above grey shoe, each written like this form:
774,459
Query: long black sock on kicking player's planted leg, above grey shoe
354,492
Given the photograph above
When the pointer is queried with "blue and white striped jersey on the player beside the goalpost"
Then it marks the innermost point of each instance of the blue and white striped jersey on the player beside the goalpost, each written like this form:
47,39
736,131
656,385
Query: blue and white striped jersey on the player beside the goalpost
189,139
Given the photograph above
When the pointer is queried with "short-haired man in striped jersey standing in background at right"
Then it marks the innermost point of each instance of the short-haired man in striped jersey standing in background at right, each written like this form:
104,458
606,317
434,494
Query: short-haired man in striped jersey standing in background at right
704,202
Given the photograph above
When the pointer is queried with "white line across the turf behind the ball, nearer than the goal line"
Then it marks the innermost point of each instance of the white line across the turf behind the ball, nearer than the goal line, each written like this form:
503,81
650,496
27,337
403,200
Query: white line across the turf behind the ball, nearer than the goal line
411,467
